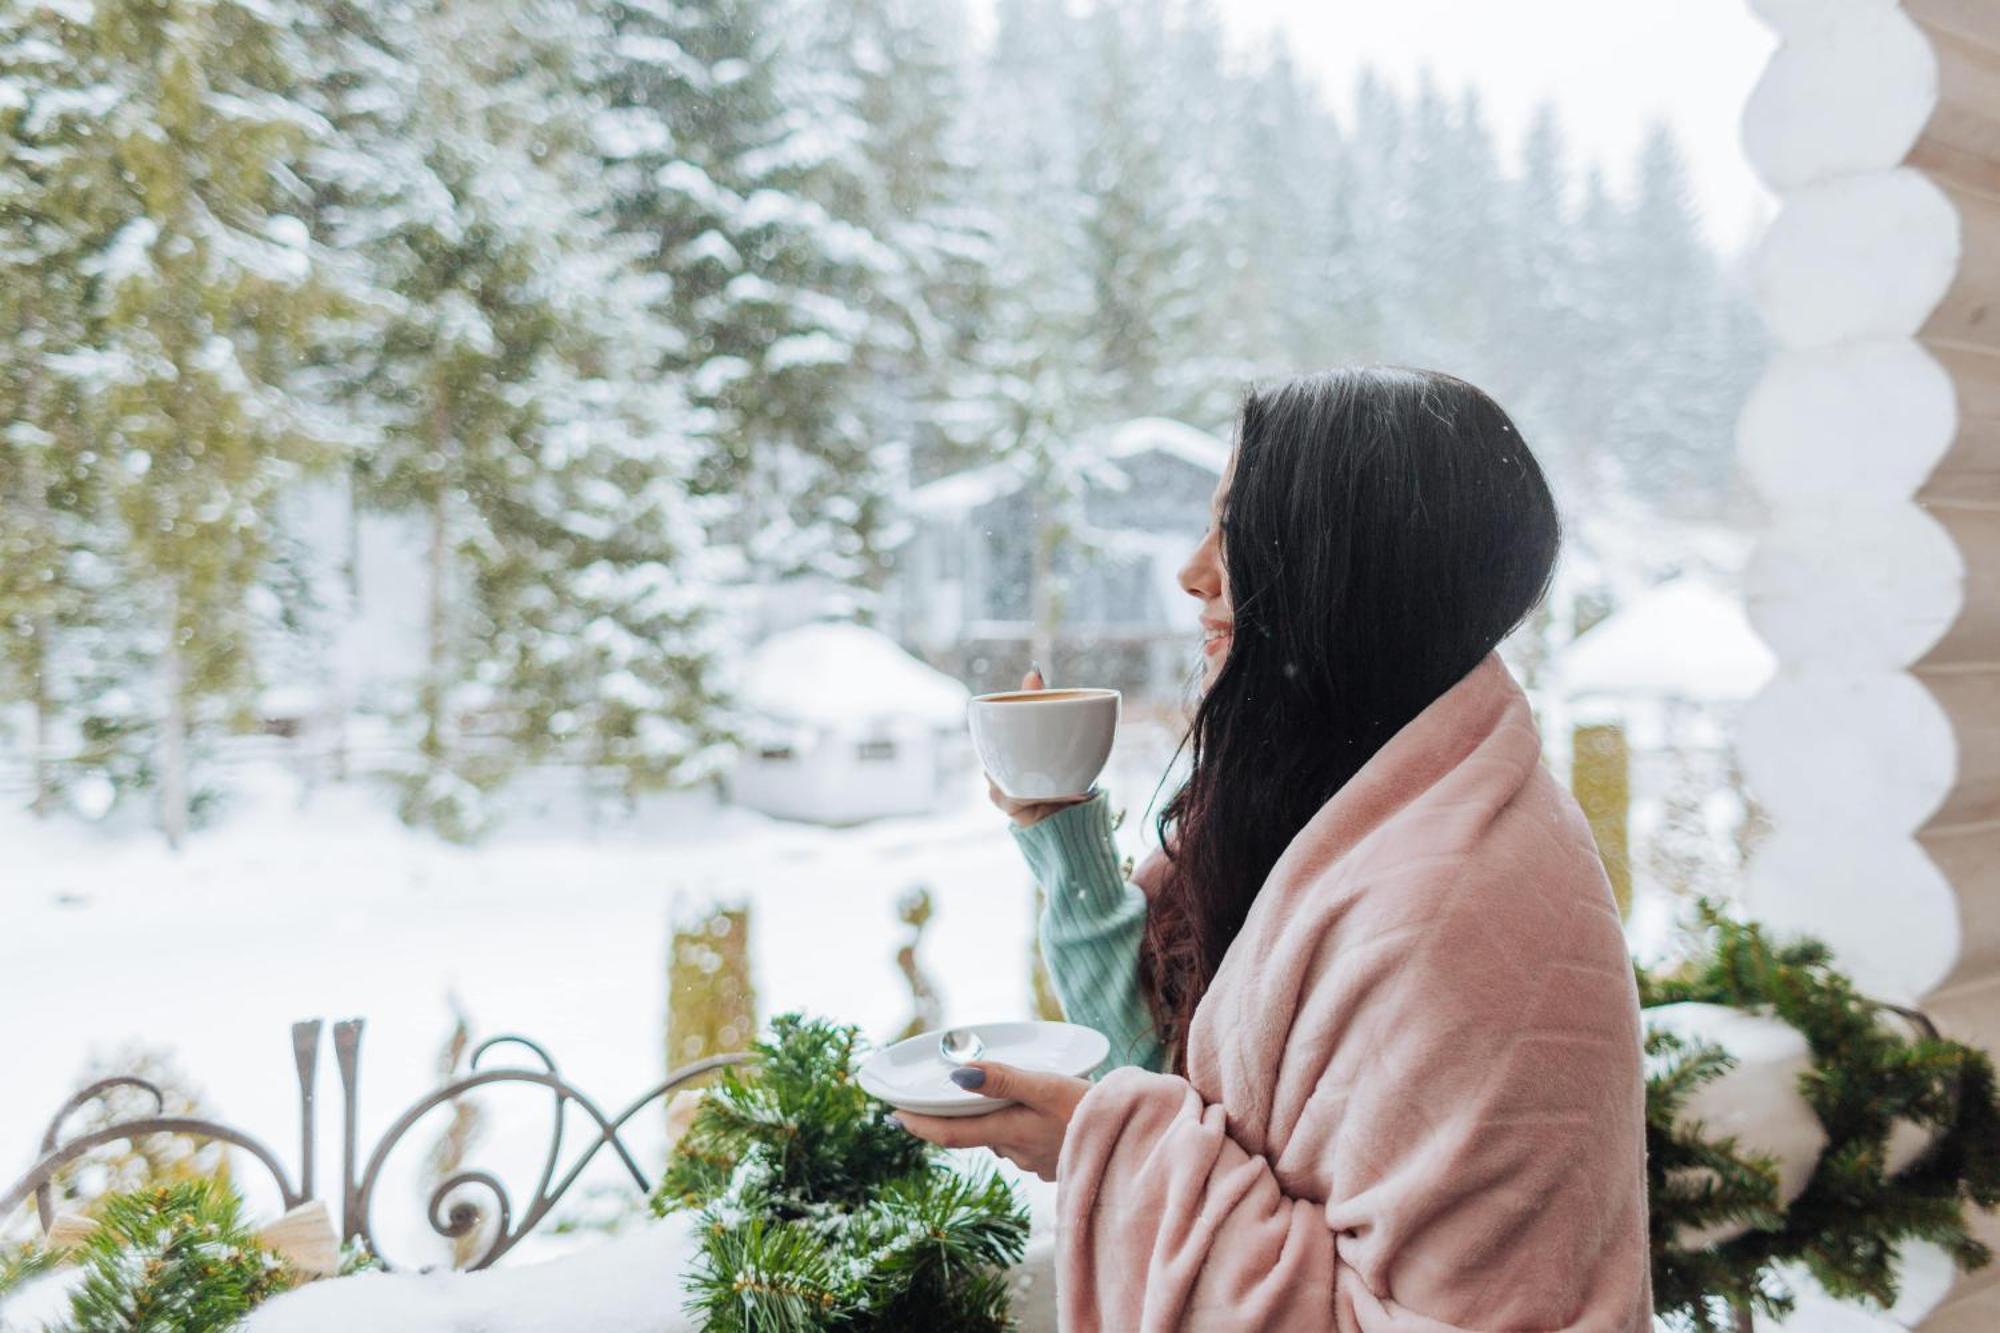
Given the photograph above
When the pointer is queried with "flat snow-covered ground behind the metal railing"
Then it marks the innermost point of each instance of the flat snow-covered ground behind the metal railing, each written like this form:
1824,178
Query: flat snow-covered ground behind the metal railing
553,930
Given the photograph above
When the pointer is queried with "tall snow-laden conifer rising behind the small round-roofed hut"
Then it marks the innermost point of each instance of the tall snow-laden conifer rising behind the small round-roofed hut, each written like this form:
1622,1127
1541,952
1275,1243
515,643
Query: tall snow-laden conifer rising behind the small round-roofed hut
711,171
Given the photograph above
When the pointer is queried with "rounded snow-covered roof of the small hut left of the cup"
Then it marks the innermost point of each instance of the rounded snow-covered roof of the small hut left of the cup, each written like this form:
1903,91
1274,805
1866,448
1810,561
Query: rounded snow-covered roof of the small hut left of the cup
833,674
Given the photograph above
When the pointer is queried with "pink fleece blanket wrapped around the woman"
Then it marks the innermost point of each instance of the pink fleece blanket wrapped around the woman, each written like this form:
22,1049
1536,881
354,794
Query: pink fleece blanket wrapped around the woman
1415,1096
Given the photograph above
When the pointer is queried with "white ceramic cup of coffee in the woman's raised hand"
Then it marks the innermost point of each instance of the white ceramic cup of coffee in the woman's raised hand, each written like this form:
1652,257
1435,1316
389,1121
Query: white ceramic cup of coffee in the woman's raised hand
1045,746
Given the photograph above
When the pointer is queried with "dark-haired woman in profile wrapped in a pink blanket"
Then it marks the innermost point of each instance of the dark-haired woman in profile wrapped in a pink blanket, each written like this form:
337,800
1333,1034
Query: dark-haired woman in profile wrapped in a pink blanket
1381,1028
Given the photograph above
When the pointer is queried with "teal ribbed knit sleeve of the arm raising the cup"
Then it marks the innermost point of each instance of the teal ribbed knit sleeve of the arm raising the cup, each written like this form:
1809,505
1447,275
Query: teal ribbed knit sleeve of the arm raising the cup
1093,922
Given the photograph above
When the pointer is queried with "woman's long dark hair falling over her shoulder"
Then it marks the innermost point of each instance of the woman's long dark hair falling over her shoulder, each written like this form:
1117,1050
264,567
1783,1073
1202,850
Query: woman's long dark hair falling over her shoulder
1383,531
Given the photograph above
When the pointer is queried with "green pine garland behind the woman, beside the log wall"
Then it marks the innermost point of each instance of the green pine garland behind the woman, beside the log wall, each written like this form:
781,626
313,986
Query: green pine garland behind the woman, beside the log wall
1853,1216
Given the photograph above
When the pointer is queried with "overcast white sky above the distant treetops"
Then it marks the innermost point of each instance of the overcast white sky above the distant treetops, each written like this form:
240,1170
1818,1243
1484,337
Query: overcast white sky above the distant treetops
1609,65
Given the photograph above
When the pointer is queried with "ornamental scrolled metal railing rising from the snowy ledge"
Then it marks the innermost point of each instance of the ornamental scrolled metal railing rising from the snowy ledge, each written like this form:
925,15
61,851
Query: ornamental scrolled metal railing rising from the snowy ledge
361,1174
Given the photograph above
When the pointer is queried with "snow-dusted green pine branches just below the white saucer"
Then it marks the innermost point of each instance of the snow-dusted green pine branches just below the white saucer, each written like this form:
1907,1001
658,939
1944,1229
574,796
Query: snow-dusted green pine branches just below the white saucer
819,1214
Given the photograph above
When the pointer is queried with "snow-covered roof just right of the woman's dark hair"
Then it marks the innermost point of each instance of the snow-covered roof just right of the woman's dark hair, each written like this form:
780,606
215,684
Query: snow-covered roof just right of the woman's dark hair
1683,639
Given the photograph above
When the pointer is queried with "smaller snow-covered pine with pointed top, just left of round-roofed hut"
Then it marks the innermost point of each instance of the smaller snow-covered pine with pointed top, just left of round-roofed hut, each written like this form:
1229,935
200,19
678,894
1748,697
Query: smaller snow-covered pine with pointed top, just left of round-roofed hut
597,611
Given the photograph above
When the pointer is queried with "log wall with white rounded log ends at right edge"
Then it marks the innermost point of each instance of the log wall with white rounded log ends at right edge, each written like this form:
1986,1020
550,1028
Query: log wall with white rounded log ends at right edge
1875,439
